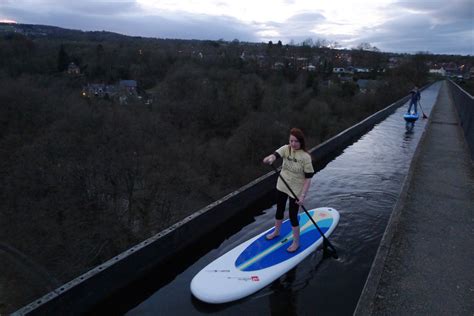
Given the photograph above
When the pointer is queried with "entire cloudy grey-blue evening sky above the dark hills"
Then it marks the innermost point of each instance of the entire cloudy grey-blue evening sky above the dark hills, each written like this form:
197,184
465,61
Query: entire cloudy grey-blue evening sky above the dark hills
436,26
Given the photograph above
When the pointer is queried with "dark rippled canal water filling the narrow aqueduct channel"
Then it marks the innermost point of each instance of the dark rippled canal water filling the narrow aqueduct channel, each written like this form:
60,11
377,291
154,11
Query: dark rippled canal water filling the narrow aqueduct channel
363,183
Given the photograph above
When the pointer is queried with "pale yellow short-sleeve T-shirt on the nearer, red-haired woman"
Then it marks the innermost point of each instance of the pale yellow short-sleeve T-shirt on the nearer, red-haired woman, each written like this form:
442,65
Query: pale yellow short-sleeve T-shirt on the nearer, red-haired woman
295,169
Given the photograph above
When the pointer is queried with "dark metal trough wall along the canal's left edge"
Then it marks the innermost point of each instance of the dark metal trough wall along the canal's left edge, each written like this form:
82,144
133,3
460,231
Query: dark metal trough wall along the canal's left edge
86,291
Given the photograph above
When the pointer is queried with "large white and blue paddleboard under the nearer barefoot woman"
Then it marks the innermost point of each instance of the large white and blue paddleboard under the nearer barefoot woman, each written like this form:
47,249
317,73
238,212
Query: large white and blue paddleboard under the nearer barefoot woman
258,262
